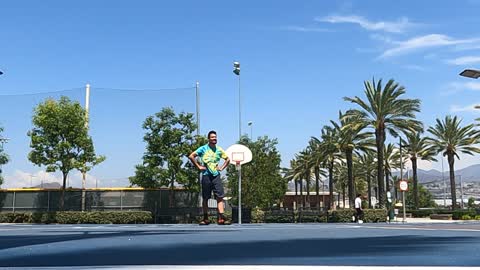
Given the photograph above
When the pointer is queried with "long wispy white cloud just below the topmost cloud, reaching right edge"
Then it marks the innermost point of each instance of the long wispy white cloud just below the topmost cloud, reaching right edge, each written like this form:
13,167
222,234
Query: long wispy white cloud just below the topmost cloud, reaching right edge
423,42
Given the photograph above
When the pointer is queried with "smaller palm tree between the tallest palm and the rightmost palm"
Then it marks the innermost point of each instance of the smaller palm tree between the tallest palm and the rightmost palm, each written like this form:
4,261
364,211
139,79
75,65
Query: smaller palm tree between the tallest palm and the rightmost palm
418,148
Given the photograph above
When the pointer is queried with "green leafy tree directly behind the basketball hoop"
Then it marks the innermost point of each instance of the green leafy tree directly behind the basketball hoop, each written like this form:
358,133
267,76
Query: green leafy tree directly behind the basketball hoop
262,182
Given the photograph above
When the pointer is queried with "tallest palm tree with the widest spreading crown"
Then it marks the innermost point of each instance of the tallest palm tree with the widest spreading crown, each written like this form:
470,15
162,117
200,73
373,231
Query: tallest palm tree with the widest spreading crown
383,111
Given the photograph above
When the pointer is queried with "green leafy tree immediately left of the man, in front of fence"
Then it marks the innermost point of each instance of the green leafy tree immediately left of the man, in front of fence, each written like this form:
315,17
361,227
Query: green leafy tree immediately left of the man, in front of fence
169,138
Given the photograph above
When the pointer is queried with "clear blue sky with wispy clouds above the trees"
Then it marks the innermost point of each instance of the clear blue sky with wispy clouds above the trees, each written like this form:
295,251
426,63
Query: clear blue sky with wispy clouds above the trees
298,59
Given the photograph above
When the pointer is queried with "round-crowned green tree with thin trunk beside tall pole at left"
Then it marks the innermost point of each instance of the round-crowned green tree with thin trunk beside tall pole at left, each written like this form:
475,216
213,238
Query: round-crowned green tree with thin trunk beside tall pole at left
60,140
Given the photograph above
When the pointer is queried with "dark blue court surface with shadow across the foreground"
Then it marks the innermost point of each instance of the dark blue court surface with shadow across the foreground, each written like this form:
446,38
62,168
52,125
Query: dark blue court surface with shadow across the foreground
93,246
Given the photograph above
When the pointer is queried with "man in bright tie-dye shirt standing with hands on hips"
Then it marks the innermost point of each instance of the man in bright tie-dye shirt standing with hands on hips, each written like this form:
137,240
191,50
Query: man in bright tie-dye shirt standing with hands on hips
211,155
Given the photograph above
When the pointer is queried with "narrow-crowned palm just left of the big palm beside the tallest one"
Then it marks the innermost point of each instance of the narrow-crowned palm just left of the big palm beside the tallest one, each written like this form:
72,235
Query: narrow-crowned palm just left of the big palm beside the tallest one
328,146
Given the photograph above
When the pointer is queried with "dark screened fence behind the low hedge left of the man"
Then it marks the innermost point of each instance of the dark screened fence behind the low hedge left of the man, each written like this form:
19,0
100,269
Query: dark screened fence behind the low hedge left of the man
177,206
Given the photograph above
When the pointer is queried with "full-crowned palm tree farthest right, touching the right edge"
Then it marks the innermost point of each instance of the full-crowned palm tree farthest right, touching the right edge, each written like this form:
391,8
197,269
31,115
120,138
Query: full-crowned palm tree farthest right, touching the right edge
451,139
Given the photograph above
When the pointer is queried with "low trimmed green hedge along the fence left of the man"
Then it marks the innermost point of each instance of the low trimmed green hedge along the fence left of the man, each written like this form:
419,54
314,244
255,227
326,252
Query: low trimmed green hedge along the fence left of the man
71,217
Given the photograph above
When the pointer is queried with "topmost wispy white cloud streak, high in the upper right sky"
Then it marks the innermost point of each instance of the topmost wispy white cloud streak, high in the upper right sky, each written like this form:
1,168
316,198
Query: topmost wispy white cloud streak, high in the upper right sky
400,26
